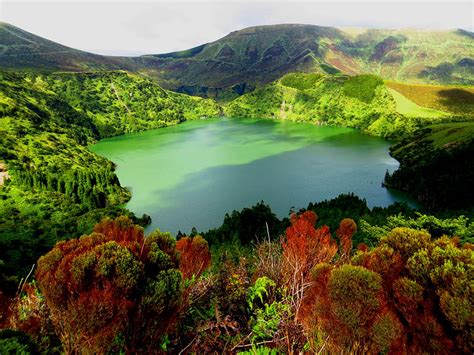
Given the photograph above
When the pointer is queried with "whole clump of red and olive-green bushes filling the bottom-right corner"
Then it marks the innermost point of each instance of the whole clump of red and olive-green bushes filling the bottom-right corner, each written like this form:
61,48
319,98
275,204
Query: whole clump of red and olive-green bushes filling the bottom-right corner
410,294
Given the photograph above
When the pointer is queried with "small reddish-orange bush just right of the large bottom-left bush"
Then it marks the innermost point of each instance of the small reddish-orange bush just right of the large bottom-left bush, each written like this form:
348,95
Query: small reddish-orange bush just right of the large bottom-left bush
195,256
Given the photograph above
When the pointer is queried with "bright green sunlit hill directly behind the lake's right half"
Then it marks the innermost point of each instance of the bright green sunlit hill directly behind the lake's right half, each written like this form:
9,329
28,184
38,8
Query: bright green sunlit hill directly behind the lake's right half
362,102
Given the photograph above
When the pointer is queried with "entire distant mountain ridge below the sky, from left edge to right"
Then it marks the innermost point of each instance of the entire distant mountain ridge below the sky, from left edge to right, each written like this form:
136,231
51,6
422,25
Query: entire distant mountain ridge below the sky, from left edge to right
244,59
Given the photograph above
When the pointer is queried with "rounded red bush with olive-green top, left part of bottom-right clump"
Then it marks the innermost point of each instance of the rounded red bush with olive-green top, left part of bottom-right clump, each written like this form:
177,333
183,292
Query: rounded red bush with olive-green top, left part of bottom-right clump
349,308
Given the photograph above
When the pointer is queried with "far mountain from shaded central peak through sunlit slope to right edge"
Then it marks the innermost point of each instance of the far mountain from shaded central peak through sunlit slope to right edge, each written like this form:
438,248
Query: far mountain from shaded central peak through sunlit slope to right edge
259,55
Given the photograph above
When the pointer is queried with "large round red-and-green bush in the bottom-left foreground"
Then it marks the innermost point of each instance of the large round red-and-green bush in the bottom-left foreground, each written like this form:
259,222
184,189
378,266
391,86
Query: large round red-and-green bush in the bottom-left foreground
112,282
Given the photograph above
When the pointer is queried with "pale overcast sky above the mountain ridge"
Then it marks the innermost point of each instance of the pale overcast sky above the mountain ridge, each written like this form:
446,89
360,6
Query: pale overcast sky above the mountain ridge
141,27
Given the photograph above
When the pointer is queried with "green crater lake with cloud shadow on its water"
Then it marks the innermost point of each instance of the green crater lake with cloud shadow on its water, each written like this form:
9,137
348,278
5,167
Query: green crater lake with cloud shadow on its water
190,175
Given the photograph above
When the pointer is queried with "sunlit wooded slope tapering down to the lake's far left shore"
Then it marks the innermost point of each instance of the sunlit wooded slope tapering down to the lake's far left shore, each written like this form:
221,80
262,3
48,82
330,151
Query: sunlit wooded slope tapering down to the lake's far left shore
119,102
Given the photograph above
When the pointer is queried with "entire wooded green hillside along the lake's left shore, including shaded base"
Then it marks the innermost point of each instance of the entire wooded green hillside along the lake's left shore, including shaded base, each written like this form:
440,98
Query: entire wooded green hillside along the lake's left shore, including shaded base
57,188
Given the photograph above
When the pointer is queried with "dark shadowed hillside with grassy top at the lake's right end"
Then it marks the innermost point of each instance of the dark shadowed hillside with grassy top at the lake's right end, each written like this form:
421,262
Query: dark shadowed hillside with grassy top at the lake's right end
437,165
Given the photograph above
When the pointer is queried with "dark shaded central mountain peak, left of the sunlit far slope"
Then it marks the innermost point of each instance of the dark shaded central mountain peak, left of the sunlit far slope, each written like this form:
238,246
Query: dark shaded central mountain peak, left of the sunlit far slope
250,56
